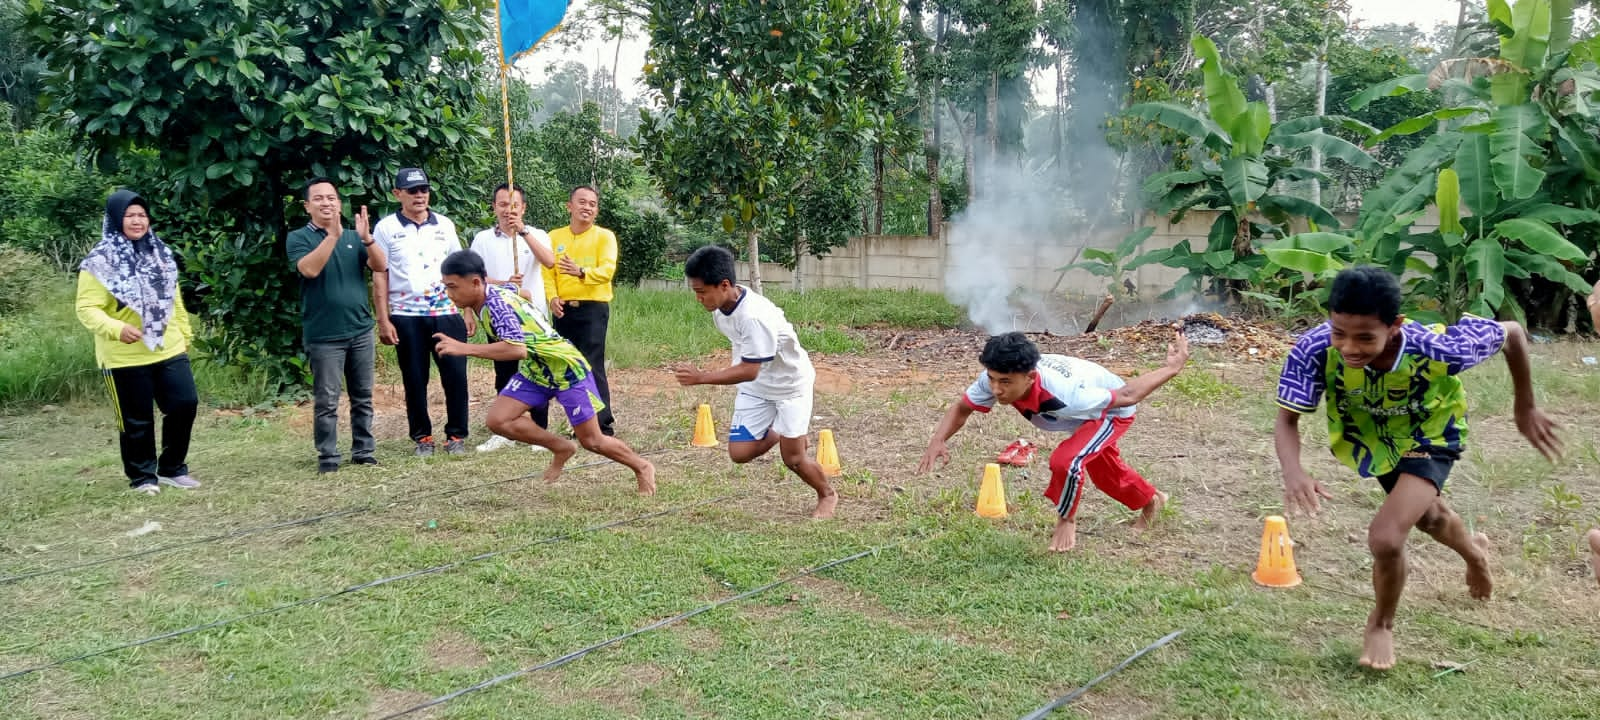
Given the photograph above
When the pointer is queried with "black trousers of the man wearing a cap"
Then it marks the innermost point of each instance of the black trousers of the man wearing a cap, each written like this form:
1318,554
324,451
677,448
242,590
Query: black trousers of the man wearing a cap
414,353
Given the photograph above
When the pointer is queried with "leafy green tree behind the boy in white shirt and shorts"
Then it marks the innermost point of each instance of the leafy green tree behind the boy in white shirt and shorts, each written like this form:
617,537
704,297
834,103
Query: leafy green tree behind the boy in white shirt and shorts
767,110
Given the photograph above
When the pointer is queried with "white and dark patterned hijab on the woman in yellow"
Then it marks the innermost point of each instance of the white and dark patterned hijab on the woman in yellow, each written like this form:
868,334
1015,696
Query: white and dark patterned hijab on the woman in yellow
140,273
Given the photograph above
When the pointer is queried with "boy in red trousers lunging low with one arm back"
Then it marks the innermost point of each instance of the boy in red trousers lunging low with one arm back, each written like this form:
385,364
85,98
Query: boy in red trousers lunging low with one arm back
1066,394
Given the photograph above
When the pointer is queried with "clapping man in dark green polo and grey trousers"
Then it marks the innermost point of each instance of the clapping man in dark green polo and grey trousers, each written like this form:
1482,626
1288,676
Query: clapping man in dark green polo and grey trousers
337,319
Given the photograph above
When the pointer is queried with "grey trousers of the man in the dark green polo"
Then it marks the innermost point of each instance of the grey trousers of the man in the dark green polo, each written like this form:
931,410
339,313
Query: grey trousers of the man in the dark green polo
335,367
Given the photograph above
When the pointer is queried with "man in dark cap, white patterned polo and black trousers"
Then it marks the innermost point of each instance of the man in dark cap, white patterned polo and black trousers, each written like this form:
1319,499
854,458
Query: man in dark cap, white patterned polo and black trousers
414,308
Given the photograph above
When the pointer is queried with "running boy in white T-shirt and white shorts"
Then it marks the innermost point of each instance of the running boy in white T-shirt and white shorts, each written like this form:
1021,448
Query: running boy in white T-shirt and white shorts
774,374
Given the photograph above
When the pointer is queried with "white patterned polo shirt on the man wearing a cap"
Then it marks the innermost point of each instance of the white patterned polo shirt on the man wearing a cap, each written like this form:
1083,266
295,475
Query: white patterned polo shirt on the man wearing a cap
415,255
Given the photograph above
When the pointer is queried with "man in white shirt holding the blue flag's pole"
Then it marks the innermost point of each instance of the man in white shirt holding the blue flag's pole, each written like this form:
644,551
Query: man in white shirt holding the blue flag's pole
513,255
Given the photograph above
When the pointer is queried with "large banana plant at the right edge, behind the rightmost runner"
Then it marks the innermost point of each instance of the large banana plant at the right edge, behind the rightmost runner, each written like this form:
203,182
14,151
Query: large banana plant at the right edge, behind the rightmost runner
1524,161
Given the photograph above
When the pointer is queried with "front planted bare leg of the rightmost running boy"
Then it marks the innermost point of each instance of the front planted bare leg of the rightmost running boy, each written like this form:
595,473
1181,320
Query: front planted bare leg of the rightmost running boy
1412,498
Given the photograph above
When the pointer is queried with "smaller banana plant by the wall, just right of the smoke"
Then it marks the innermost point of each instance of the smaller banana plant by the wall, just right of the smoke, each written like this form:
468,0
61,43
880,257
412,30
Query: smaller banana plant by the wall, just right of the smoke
1239,159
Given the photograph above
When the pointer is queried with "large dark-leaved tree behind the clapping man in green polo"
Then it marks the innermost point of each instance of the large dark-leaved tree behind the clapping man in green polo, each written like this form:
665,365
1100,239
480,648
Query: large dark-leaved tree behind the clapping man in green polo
239,102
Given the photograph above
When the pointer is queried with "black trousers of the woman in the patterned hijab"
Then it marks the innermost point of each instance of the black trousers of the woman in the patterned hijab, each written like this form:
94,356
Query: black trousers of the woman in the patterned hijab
170,386
